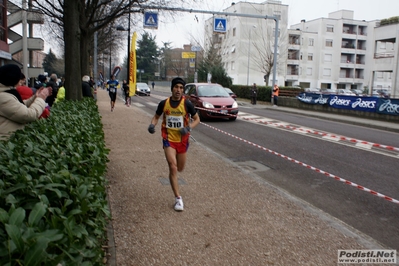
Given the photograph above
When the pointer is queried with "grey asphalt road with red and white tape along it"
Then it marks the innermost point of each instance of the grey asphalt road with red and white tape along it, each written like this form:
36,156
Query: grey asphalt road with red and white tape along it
279,137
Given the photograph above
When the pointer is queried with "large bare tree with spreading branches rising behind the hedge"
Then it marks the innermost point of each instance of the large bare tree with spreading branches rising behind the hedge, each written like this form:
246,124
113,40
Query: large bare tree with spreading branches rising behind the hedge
79,20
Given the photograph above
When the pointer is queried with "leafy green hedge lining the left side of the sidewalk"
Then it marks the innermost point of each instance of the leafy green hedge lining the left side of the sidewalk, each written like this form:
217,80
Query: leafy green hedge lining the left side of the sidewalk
53,207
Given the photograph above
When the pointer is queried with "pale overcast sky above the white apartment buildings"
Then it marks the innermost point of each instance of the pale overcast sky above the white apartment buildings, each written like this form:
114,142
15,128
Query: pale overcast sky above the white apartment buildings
180,31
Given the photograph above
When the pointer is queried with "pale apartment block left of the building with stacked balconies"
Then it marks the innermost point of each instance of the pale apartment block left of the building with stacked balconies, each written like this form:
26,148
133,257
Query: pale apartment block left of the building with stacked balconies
248,44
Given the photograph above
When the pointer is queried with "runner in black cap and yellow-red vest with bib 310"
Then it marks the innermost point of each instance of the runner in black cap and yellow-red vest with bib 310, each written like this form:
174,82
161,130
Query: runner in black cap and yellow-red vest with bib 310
176,127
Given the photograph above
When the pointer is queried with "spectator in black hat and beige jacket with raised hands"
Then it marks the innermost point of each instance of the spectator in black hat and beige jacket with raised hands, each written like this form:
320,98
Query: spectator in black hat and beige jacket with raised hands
15,112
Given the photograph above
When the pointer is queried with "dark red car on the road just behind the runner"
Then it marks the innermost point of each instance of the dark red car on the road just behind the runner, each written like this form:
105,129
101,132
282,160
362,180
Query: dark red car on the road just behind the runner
211,101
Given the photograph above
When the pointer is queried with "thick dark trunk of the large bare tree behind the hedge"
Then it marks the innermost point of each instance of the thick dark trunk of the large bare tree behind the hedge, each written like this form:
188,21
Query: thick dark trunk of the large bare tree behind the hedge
72,36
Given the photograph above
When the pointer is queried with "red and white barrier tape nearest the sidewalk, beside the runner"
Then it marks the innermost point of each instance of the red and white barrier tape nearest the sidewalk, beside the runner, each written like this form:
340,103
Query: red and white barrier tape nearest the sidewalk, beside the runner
309,166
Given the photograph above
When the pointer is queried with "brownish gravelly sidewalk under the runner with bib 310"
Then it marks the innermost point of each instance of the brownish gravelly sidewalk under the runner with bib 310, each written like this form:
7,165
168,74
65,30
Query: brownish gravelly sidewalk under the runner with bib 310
231,216
